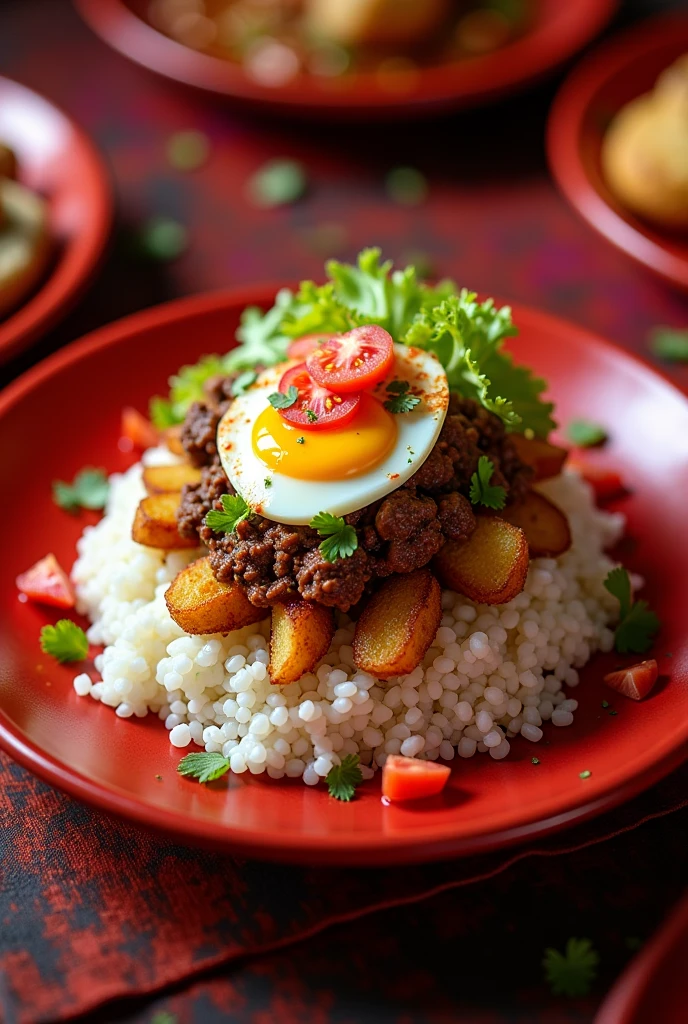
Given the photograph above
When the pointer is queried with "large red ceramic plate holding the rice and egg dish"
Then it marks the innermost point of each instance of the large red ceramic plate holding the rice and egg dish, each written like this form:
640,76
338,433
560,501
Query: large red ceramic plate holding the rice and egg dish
66,414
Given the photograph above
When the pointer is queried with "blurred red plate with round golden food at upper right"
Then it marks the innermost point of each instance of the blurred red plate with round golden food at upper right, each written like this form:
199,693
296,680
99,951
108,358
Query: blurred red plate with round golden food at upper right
615,74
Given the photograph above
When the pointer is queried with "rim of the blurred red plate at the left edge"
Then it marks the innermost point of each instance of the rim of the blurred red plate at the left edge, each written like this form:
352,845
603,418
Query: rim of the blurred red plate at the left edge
81,253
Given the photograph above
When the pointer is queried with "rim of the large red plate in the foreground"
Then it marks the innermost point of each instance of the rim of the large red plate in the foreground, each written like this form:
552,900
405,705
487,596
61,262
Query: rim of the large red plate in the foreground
333,848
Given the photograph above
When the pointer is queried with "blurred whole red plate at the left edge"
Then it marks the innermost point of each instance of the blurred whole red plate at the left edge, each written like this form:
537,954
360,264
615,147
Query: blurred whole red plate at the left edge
60,162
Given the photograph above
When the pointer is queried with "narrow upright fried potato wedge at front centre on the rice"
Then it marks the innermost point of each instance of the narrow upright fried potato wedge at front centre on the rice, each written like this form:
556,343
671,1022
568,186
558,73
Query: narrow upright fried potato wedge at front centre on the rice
300,635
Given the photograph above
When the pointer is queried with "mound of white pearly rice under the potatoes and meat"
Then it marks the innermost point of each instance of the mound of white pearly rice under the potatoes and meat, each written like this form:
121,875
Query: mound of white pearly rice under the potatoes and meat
492,673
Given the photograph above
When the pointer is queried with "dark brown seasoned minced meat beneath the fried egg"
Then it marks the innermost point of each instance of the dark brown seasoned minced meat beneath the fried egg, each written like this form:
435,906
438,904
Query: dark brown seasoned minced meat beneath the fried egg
400,534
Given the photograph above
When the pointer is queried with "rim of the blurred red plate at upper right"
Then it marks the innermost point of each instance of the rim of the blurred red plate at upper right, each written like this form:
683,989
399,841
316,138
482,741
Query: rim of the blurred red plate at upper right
566,136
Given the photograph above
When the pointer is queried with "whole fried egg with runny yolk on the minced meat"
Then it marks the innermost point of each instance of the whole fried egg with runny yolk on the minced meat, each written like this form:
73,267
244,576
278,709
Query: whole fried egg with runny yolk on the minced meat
289,474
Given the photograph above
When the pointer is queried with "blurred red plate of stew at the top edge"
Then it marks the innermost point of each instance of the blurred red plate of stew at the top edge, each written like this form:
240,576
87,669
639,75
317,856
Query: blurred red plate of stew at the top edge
558,31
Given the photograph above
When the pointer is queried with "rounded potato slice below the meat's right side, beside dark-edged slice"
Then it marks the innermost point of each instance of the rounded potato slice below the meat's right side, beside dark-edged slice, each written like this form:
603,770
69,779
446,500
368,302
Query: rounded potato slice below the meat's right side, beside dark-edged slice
491,568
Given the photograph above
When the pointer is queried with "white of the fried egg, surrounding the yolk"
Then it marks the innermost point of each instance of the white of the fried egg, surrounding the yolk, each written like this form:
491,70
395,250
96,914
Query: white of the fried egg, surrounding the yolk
296,502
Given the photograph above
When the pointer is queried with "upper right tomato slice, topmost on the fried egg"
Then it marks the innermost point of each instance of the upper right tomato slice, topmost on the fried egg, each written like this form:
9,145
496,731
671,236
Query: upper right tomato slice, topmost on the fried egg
355,361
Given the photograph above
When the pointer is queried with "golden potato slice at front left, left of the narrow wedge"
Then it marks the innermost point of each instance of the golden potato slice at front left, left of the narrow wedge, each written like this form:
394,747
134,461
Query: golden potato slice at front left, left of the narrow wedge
201,605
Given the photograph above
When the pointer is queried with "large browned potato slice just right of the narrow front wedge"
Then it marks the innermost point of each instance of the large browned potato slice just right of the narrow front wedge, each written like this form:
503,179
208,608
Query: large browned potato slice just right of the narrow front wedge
399,625
